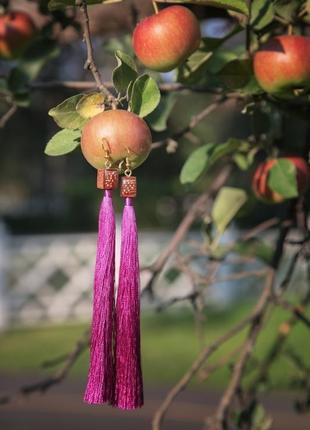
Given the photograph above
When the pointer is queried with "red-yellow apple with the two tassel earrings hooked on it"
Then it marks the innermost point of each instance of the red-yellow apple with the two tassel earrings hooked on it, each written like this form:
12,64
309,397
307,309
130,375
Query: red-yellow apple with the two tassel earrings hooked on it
119,132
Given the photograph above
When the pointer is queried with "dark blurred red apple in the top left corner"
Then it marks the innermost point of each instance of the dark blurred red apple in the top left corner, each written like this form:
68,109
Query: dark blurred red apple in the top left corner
16,31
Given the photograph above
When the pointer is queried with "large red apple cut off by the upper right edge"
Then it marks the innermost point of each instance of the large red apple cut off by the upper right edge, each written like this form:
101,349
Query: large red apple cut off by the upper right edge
283,63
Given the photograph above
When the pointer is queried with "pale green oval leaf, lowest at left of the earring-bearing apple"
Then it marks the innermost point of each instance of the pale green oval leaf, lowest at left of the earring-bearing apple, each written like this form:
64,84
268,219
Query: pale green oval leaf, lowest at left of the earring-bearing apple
63,142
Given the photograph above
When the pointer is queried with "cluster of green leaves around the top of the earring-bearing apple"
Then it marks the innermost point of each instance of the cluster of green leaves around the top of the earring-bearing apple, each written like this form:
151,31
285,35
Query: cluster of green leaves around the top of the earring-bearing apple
138,93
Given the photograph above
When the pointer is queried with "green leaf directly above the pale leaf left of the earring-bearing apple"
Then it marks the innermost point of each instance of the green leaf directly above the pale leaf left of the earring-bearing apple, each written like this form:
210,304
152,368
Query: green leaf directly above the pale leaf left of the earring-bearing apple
65,114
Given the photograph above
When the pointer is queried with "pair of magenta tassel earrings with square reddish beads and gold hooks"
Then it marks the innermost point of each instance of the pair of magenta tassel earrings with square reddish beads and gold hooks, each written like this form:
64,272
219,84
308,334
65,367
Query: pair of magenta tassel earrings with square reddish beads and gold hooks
115,375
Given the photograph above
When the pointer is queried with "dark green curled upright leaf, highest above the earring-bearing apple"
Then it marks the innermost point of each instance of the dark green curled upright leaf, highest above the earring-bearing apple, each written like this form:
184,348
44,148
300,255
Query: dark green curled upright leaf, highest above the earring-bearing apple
125,72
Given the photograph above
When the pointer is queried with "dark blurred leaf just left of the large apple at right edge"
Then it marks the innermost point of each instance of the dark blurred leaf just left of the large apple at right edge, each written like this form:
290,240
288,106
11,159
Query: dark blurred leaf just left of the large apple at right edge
236,74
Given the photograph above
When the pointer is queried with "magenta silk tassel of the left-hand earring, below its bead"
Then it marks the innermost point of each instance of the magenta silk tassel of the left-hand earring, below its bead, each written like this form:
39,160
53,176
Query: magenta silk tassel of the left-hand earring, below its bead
100,384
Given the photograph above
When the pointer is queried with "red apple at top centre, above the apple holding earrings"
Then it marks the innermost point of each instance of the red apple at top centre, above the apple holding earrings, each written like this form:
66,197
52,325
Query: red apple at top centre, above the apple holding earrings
163,41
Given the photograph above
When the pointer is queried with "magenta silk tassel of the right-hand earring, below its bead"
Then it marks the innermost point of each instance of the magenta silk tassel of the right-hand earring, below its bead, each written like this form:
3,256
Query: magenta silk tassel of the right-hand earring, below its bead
129,384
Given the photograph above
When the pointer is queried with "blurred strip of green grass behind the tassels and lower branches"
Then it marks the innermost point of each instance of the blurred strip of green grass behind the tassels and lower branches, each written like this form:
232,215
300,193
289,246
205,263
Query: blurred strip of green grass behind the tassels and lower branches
169,345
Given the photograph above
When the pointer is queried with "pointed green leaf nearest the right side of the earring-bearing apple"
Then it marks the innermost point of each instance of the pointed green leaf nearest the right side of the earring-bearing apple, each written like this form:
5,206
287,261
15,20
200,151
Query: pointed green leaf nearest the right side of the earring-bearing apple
195,164
